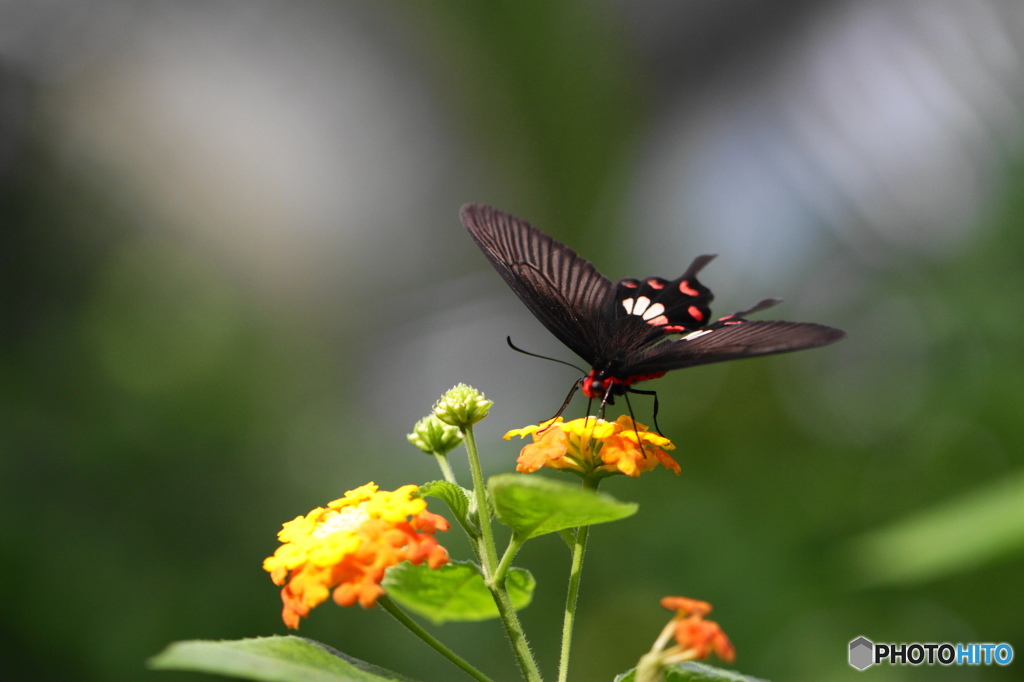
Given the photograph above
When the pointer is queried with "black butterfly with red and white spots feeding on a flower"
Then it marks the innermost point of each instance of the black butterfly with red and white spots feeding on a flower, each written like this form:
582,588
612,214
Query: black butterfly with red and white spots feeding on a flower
626,331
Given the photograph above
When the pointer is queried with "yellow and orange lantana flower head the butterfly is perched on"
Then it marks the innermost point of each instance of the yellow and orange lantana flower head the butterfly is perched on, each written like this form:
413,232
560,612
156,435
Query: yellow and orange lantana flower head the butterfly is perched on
591,445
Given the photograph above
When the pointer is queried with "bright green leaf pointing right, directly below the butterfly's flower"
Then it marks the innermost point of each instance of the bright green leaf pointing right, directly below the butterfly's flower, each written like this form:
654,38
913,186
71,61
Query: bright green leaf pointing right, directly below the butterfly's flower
533,506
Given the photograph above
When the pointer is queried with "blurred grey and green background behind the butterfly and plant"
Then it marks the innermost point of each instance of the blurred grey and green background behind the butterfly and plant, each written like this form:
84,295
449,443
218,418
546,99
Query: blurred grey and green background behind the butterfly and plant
233,276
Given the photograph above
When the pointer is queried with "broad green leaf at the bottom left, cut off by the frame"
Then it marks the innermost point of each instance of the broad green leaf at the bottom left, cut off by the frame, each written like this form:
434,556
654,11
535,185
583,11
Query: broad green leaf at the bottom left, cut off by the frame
271,660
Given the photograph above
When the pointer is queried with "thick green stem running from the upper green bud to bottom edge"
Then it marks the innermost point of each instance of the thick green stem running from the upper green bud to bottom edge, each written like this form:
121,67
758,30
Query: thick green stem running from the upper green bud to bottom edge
489,565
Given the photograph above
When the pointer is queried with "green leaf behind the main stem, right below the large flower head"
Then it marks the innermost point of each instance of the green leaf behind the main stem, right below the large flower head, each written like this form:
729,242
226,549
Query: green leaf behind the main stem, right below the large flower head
454,592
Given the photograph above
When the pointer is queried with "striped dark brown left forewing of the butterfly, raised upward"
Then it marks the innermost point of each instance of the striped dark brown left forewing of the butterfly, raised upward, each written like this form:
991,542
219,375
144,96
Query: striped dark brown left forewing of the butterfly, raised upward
563,290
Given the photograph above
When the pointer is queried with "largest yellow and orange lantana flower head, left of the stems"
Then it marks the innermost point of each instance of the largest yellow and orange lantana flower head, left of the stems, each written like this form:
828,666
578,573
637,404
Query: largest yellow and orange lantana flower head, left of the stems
344,550
